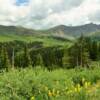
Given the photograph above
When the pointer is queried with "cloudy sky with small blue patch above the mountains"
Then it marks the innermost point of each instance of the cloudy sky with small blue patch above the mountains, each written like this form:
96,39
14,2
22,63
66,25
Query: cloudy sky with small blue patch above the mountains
42,14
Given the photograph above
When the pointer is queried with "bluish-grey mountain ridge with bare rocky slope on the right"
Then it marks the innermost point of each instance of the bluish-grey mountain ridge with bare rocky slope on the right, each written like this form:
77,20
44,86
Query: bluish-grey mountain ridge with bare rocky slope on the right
74,30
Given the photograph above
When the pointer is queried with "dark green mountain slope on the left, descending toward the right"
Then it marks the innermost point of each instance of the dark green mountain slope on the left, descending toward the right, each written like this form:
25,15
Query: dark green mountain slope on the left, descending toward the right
14,30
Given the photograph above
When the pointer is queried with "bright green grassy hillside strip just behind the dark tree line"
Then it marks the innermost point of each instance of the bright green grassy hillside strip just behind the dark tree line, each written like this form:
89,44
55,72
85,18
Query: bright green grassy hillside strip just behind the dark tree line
47,41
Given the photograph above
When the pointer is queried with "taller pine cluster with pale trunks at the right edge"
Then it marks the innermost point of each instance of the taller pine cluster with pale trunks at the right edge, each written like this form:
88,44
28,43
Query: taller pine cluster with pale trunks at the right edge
83,52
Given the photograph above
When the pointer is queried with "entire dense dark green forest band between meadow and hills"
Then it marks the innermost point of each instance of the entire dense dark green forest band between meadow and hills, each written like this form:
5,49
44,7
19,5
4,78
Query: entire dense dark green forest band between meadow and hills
18,54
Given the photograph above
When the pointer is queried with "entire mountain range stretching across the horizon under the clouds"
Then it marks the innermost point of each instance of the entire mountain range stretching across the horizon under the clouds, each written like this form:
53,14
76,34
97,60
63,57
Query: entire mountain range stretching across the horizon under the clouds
57,31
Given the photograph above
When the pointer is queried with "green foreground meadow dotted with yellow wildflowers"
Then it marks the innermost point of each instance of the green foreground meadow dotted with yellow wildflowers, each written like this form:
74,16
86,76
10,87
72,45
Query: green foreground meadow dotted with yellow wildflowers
41,84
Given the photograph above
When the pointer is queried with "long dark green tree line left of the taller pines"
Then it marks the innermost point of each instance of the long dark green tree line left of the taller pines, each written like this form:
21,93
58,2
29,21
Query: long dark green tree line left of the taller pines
18,54
